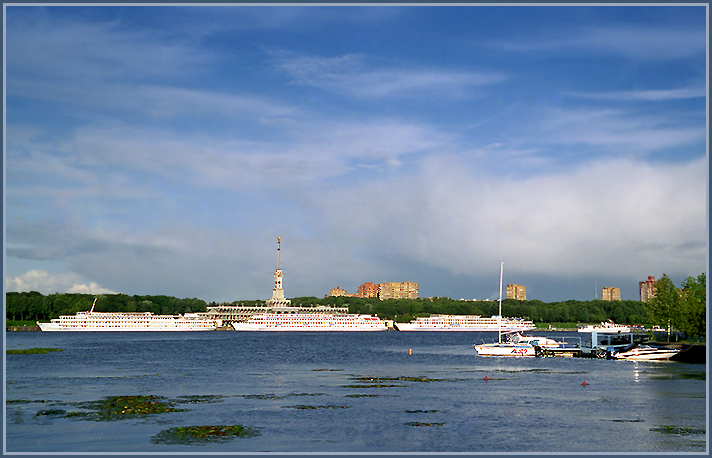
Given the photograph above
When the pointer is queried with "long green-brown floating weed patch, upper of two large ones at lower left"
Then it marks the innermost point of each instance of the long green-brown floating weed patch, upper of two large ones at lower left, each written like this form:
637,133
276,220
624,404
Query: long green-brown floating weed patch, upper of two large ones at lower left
120,407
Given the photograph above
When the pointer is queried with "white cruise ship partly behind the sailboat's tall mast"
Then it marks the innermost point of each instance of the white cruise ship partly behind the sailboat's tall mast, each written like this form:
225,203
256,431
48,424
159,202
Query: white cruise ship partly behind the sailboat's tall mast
466,323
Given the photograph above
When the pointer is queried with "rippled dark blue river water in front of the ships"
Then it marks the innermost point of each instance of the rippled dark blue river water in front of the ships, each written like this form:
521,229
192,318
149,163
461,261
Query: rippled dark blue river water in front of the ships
311,392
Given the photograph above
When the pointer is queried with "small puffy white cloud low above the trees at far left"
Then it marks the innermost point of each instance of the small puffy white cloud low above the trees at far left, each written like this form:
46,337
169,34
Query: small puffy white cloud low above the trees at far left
43,282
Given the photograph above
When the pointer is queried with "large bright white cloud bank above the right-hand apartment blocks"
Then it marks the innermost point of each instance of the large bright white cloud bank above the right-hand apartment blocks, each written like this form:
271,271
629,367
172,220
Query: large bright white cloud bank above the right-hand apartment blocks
621,217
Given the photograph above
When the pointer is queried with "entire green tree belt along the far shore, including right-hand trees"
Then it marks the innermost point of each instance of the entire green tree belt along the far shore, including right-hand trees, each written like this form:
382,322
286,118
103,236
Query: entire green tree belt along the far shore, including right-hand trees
682,308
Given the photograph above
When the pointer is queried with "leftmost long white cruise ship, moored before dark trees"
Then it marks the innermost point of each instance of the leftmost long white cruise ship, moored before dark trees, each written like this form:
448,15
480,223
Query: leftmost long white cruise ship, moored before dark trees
128,321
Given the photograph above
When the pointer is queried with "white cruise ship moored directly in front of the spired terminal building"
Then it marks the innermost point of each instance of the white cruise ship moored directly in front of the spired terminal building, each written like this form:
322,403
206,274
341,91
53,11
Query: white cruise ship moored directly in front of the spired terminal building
310,322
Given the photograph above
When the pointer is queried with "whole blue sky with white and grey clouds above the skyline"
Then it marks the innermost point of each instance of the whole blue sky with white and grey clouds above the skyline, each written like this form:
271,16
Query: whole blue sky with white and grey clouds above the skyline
161,150
